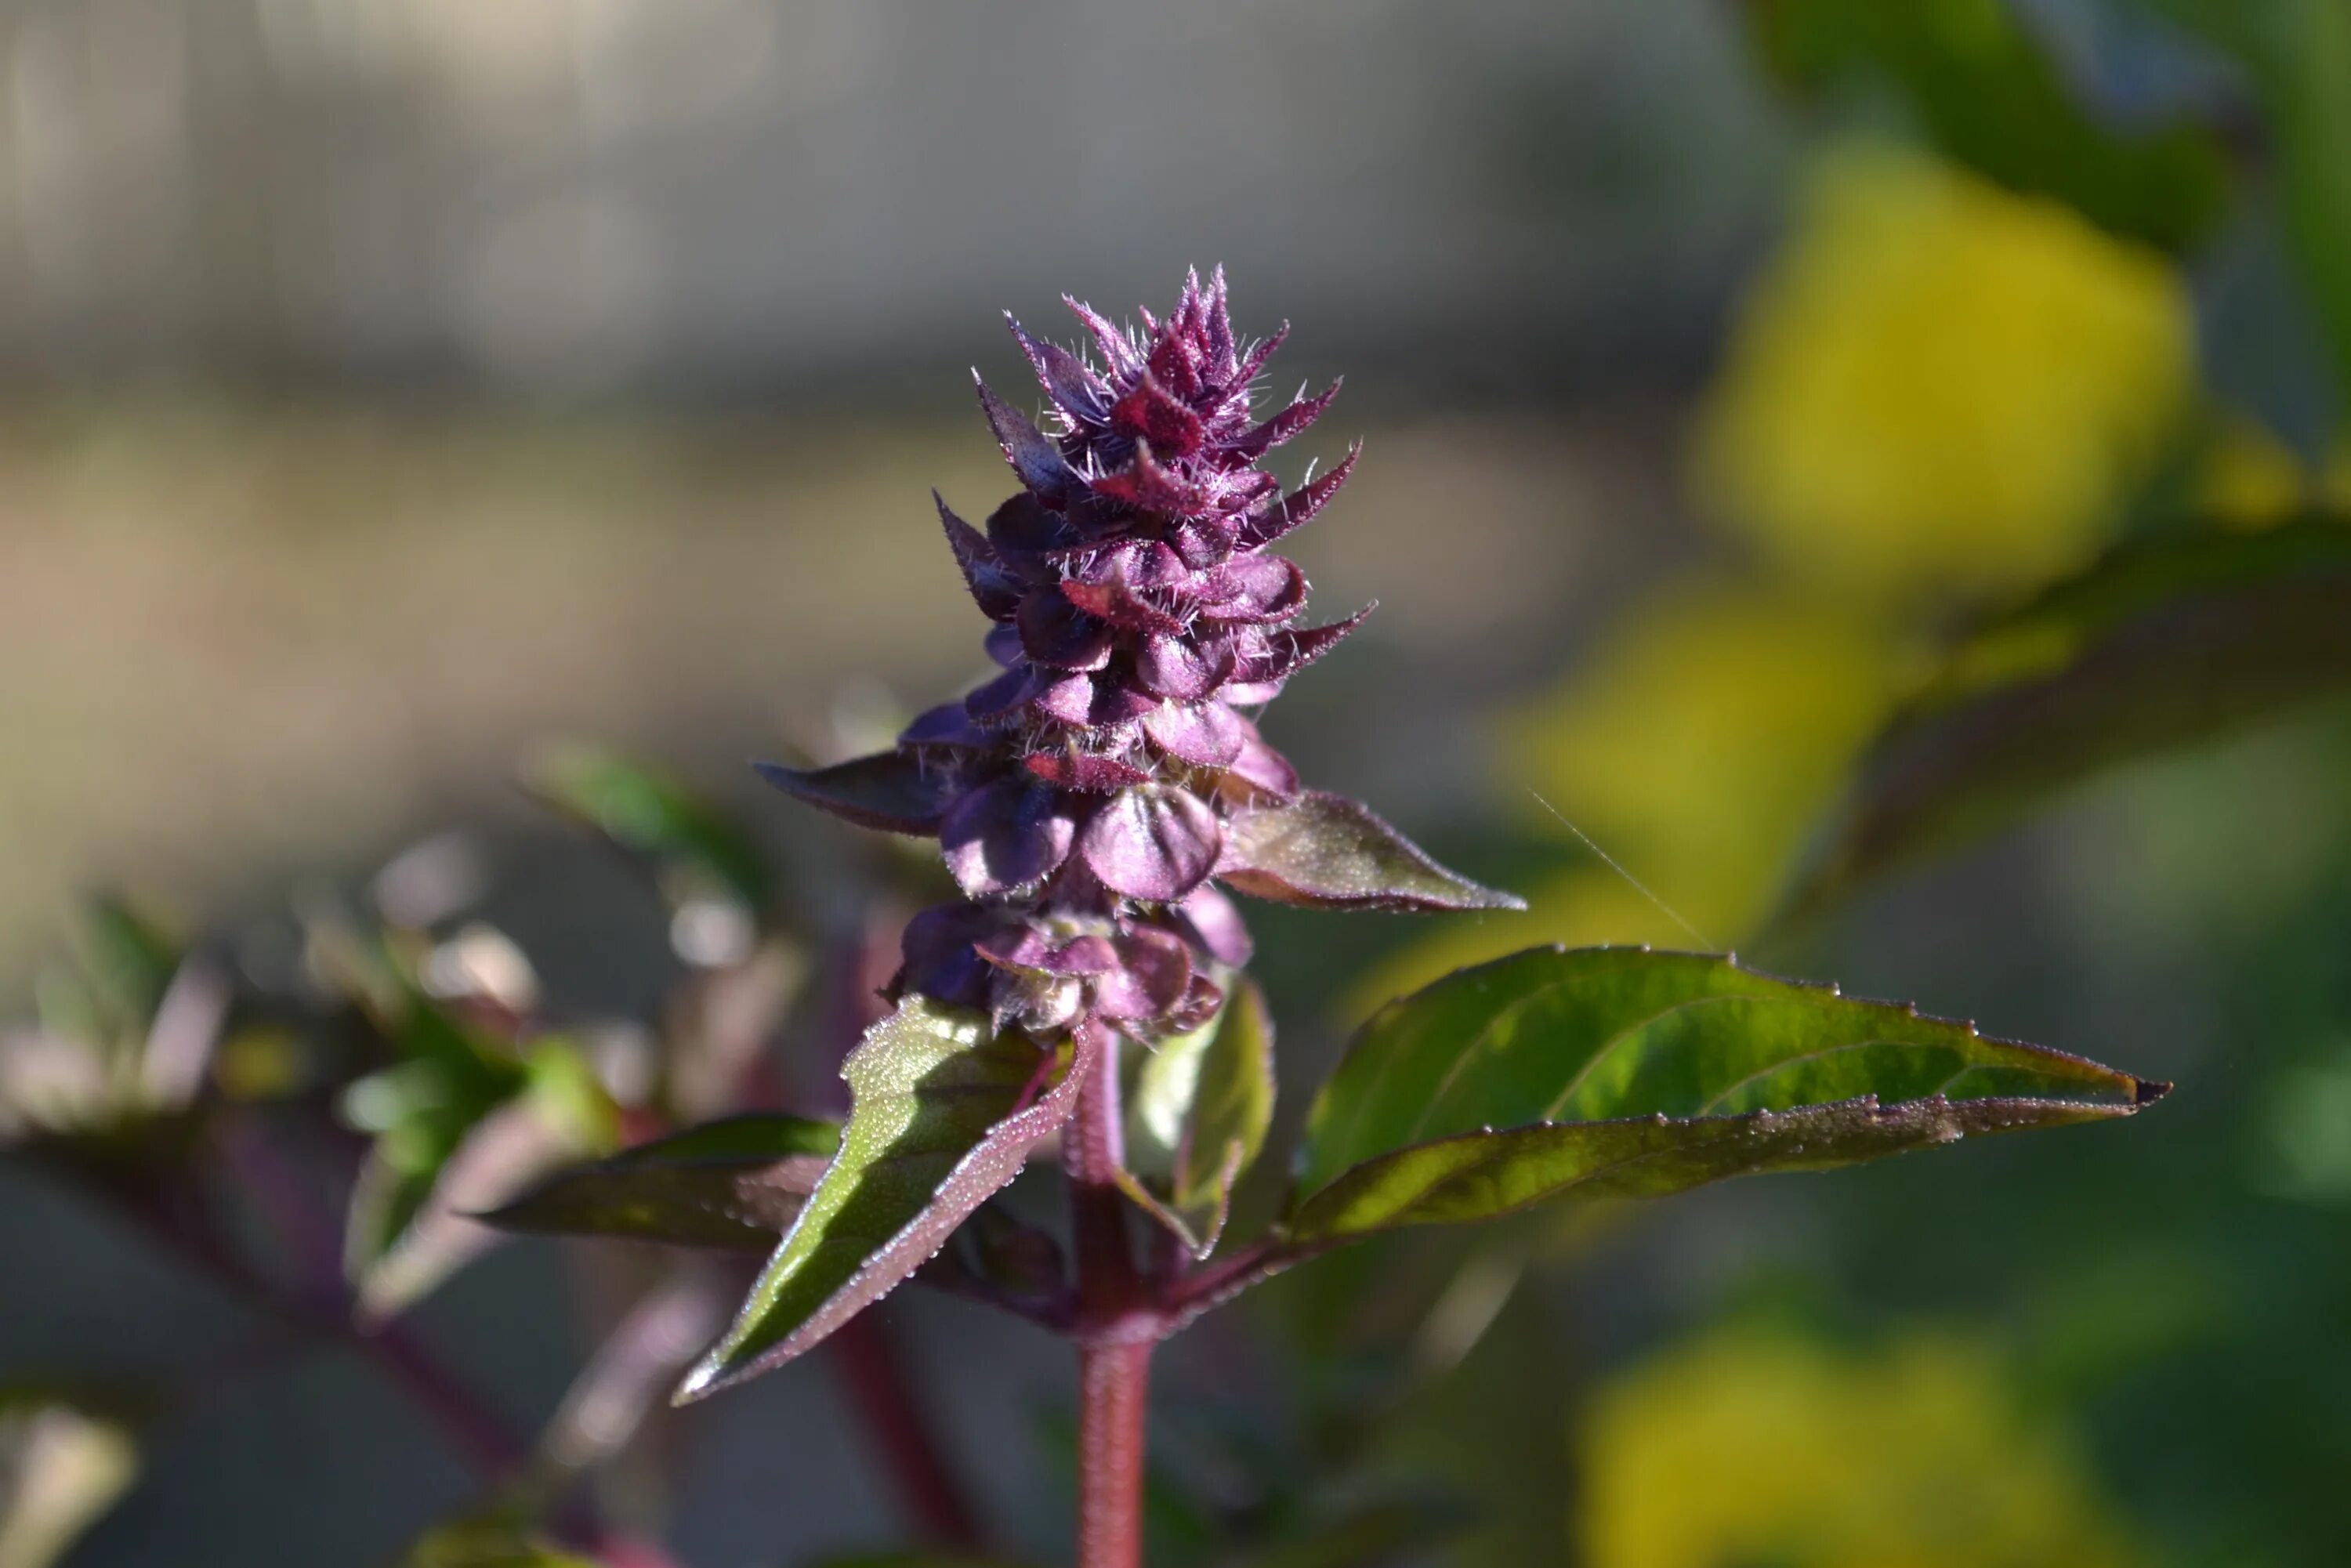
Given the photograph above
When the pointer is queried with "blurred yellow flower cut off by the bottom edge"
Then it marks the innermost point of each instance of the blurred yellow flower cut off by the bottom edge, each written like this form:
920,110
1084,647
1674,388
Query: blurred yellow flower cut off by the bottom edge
1762,1447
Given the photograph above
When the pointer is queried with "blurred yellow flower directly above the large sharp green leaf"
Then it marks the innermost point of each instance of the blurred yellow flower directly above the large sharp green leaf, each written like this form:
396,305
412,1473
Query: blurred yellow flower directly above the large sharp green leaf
1696,746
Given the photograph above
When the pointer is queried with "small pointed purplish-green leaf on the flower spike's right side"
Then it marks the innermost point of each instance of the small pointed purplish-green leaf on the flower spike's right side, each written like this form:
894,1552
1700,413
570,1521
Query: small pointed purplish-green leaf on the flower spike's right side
1334,855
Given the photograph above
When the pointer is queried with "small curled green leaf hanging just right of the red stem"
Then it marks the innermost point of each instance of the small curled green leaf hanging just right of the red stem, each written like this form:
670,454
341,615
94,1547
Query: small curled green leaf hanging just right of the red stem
1198,1118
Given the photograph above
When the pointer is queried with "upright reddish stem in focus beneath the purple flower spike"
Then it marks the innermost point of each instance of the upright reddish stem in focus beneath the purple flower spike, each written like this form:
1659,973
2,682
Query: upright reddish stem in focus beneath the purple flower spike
1116,1334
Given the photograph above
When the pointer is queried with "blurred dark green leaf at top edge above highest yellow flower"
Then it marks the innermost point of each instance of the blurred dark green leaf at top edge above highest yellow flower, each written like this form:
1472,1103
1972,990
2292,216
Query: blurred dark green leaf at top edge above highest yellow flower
1988,95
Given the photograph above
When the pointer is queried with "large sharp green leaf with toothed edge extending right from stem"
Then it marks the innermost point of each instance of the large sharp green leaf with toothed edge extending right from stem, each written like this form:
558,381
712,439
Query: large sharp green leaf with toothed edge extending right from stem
1633,1073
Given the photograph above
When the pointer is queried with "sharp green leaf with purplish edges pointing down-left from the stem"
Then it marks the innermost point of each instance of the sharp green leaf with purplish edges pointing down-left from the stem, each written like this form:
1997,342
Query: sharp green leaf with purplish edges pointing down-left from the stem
944,1113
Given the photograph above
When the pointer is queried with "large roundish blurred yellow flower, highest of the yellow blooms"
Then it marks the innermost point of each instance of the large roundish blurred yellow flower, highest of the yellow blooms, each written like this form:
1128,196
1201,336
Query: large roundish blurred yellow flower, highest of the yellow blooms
1941,387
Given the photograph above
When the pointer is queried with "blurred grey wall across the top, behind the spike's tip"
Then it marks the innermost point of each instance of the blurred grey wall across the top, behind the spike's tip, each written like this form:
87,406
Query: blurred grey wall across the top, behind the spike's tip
756,196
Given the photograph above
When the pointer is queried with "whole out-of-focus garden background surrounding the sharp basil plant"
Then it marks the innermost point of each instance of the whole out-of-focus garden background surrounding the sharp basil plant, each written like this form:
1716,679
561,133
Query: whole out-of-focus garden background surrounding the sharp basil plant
1856,483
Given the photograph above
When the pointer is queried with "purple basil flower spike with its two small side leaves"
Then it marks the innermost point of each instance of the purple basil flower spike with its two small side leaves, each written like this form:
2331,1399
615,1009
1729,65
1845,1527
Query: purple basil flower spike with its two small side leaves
1092,793
